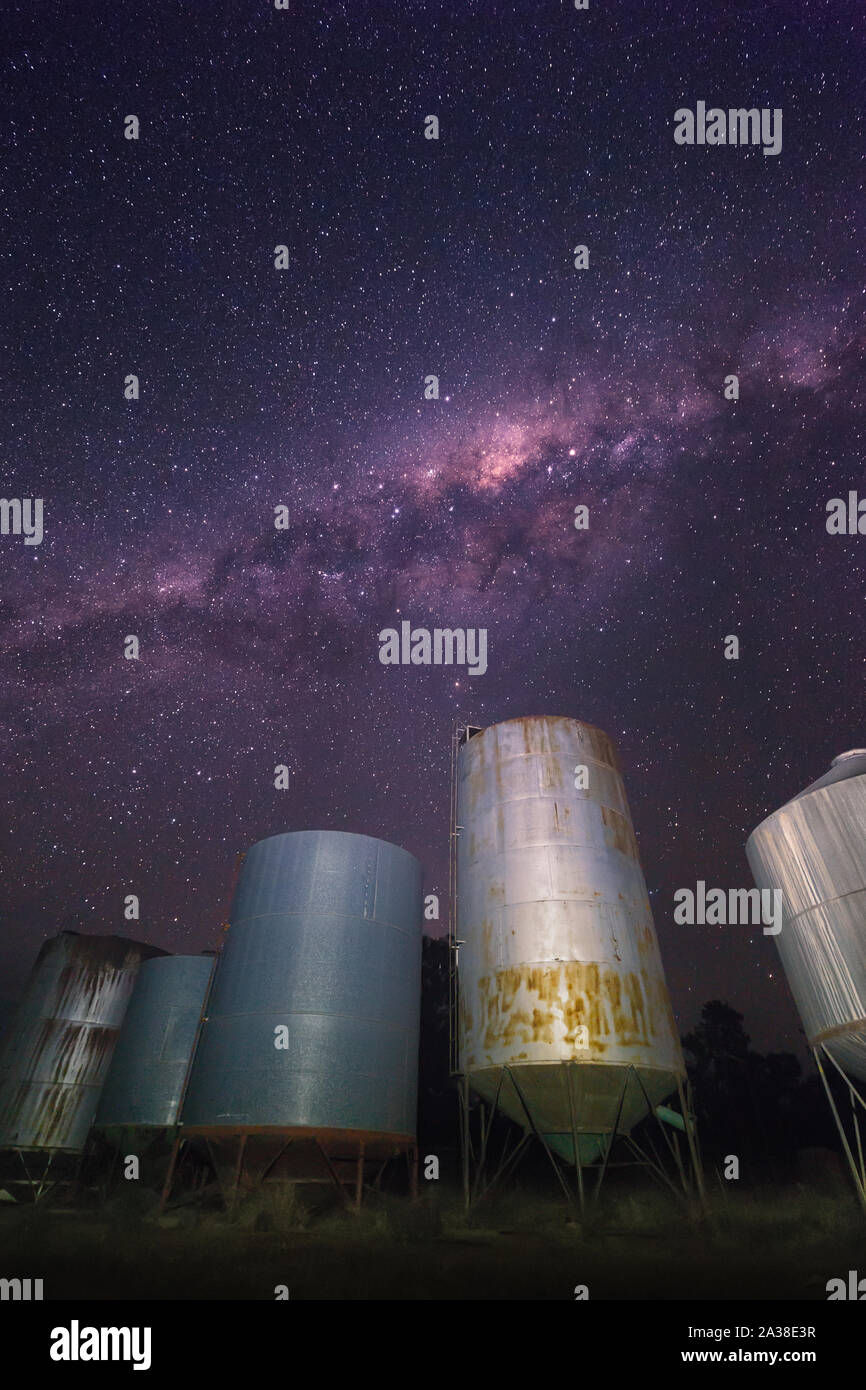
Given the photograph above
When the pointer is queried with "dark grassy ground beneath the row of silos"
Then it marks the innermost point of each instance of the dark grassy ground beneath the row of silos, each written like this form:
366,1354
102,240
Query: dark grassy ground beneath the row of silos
764,1245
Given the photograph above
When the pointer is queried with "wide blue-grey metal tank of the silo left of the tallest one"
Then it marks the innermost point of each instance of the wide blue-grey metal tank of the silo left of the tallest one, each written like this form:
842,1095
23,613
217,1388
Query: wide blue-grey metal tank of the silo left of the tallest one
326,940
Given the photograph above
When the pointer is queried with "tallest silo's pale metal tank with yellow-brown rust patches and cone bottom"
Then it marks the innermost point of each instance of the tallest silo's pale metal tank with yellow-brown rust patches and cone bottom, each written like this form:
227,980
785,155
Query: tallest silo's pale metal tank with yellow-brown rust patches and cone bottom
559,961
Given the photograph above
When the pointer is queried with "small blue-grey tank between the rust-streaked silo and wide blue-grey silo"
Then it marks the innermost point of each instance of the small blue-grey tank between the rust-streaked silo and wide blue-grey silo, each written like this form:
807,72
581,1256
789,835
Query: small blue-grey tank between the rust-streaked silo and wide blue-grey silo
154,1053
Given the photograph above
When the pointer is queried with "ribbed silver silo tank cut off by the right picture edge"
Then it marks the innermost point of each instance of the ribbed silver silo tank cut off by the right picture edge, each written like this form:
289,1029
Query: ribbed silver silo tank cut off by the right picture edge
815,850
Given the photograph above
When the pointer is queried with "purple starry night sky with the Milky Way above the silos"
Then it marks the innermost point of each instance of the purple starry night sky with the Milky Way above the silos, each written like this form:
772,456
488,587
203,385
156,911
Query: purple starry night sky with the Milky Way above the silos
305,389
